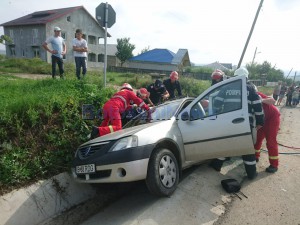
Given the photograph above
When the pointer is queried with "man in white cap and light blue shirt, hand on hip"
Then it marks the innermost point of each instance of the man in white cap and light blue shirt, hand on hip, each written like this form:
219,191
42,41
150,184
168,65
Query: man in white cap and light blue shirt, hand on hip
58,50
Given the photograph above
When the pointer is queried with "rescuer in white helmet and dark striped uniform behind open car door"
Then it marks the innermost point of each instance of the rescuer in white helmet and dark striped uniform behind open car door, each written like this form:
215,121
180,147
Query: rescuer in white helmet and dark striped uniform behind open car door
255,111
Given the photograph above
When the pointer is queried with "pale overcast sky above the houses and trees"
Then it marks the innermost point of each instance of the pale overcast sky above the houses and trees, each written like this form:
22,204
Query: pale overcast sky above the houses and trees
214,30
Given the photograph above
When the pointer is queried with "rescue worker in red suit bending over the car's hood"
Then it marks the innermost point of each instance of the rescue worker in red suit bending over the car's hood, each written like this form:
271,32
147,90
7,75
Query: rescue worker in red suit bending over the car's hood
113,109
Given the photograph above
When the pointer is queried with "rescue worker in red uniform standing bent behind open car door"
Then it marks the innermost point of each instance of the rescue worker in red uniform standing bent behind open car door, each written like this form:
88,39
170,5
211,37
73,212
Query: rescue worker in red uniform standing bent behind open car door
269,132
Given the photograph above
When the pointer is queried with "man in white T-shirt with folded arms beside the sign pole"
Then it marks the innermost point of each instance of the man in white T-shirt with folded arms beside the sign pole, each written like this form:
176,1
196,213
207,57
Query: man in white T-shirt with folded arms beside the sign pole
80,49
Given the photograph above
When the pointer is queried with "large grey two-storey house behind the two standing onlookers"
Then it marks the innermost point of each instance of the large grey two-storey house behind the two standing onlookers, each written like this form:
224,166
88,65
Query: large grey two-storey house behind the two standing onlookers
29,32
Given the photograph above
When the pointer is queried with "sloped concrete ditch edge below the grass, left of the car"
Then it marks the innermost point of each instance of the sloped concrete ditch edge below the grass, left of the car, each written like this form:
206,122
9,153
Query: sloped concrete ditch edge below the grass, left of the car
43,200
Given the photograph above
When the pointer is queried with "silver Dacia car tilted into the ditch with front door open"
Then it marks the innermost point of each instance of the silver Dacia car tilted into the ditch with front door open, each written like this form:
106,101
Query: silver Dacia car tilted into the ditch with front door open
156,146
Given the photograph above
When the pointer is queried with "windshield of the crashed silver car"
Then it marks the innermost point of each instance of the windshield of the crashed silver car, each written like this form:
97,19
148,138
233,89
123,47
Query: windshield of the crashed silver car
158,113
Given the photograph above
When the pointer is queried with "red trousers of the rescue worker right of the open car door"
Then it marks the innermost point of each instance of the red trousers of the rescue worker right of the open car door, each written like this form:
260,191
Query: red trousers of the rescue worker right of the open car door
269,131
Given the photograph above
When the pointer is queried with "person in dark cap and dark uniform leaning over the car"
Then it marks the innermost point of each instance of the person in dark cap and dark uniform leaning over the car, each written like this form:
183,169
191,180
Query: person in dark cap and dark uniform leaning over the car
158,92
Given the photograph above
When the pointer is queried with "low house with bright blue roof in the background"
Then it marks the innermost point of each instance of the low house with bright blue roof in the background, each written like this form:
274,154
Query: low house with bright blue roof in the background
160,60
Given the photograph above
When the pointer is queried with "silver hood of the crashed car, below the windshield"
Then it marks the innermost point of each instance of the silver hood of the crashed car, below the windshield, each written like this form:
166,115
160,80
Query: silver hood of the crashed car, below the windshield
122,133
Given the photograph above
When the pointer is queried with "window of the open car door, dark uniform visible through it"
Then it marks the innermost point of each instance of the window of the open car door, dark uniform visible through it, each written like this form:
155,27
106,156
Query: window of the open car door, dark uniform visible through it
224,99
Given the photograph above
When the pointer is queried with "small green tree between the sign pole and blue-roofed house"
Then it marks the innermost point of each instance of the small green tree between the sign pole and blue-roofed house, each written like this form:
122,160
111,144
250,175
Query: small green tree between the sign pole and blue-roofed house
124,49
